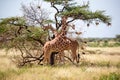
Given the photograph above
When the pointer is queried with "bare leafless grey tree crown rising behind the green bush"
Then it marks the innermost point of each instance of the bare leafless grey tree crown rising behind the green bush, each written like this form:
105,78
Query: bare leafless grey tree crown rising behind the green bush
35,15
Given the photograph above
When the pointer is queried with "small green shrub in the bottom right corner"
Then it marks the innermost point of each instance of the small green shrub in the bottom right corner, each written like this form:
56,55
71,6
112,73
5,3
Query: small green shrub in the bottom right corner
111,76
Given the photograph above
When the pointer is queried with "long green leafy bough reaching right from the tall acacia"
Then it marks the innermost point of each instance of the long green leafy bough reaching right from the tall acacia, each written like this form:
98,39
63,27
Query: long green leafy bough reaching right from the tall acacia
83,13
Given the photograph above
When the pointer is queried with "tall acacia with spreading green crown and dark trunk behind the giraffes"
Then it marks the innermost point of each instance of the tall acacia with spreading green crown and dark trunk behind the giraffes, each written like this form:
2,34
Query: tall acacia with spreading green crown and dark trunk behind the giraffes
74,11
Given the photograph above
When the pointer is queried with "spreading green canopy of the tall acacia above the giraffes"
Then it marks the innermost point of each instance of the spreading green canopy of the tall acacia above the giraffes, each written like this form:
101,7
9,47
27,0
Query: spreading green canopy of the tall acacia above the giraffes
81,12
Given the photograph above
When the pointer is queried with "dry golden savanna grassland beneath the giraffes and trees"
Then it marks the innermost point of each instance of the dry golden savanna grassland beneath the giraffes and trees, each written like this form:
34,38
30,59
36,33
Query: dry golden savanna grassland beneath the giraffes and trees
97,64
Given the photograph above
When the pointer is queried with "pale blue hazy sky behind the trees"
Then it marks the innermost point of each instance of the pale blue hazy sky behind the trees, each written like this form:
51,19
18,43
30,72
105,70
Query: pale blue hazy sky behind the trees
9,8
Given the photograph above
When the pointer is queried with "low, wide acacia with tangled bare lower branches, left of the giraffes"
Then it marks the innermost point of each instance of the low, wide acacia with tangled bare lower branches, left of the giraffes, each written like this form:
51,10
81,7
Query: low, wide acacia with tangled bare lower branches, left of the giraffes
28,40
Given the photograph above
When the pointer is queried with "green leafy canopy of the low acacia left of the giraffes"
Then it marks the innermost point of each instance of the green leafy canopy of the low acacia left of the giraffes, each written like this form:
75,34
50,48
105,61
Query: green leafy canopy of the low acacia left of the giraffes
12,34
